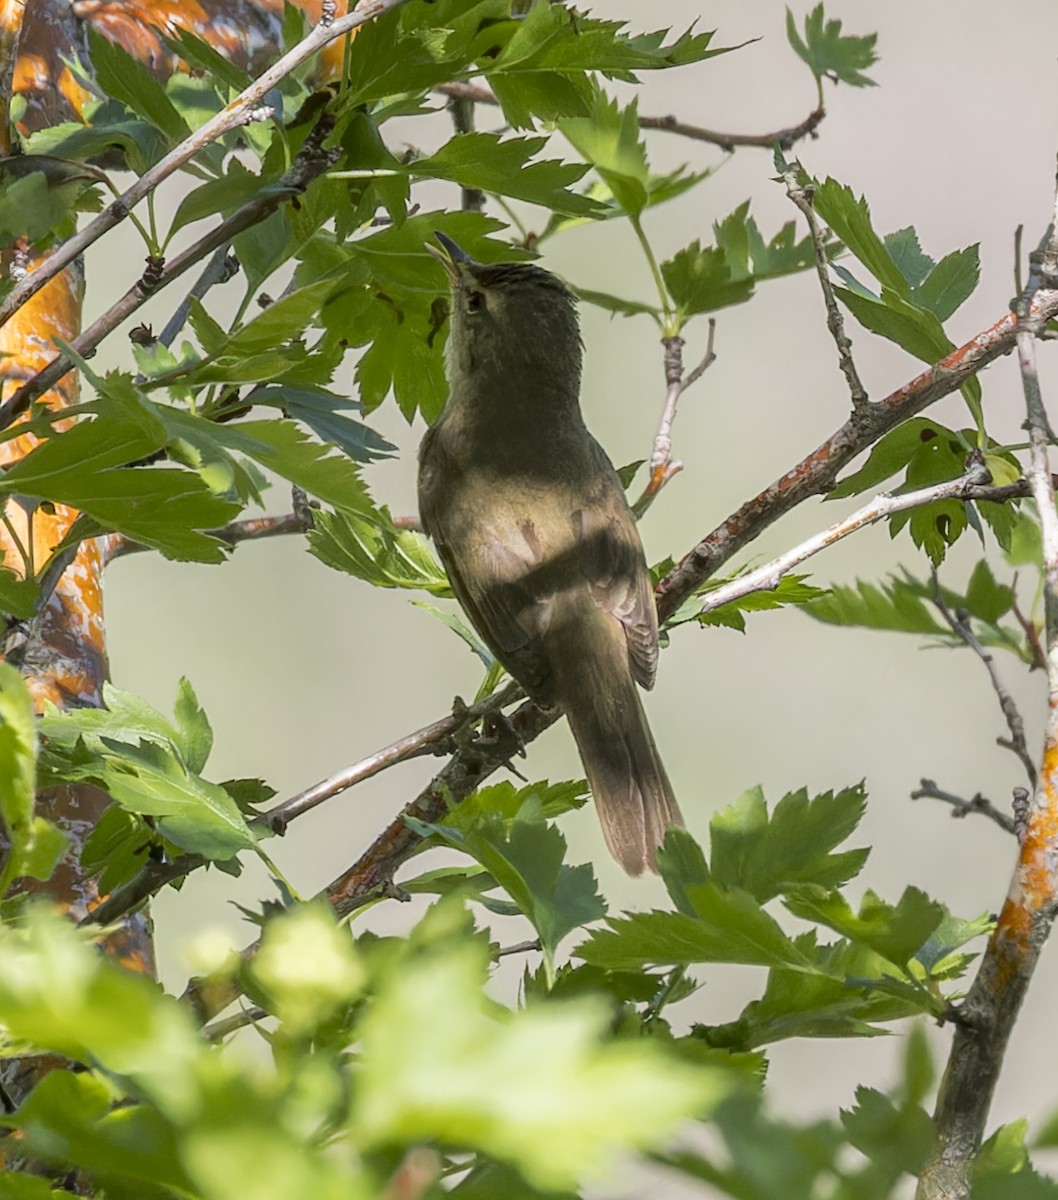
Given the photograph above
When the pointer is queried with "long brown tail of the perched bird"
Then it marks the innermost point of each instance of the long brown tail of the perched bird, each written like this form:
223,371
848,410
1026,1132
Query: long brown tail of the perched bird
594,686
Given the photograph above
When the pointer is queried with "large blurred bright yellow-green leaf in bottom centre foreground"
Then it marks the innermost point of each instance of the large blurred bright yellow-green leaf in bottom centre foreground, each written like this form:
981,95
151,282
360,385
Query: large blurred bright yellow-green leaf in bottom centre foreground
437,1064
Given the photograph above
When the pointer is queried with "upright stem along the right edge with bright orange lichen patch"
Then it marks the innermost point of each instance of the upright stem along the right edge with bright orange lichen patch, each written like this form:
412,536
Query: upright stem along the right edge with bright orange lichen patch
991,1009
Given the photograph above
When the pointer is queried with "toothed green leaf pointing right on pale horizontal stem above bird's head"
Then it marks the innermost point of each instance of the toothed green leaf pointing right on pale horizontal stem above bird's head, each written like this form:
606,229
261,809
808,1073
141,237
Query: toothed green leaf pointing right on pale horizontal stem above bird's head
504,166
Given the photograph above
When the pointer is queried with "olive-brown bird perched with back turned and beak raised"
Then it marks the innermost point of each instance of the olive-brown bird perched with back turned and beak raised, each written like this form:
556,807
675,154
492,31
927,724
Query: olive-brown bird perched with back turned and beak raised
533,529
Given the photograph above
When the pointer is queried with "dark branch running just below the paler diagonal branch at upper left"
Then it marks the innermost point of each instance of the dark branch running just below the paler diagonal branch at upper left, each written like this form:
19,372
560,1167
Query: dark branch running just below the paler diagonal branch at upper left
311,163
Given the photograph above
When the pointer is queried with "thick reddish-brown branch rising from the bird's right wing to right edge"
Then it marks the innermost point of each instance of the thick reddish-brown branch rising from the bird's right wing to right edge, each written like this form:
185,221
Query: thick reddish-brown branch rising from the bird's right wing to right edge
819,471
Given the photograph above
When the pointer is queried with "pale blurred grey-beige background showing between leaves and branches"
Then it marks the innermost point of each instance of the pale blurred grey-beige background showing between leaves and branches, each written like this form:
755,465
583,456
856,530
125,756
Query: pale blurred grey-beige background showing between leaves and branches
304,671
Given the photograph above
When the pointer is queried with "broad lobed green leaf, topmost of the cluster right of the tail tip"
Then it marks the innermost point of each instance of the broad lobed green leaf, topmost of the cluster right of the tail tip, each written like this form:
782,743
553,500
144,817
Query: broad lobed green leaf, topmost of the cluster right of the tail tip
767,855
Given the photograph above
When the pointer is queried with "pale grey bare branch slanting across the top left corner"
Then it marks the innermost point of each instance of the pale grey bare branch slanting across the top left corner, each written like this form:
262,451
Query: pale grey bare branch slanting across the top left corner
237,113
